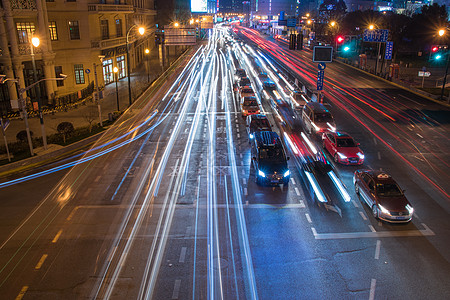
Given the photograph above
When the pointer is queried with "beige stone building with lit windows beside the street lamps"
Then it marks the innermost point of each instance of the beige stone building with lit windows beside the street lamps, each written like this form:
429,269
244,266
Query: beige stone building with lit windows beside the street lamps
76,37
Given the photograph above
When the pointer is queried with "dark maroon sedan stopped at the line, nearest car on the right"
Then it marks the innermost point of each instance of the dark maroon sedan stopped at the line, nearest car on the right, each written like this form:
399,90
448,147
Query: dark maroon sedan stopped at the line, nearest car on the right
383,196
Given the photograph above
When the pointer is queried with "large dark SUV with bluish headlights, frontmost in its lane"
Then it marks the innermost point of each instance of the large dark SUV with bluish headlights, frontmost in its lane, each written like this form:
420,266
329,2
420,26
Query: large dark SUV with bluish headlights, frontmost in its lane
269,159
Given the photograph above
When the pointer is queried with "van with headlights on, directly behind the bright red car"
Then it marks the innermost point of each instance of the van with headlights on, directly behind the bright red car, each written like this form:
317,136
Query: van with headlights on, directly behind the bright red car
317,118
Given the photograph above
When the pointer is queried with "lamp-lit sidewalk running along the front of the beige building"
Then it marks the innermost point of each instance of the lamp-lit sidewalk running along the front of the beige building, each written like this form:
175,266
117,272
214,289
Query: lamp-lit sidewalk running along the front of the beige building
80,115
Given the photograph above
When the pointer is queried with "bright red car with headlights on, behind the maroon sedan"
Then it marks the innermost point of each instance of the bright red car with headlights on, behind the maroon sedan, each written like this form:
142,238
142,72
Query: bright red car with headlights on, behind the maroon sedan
342,147
